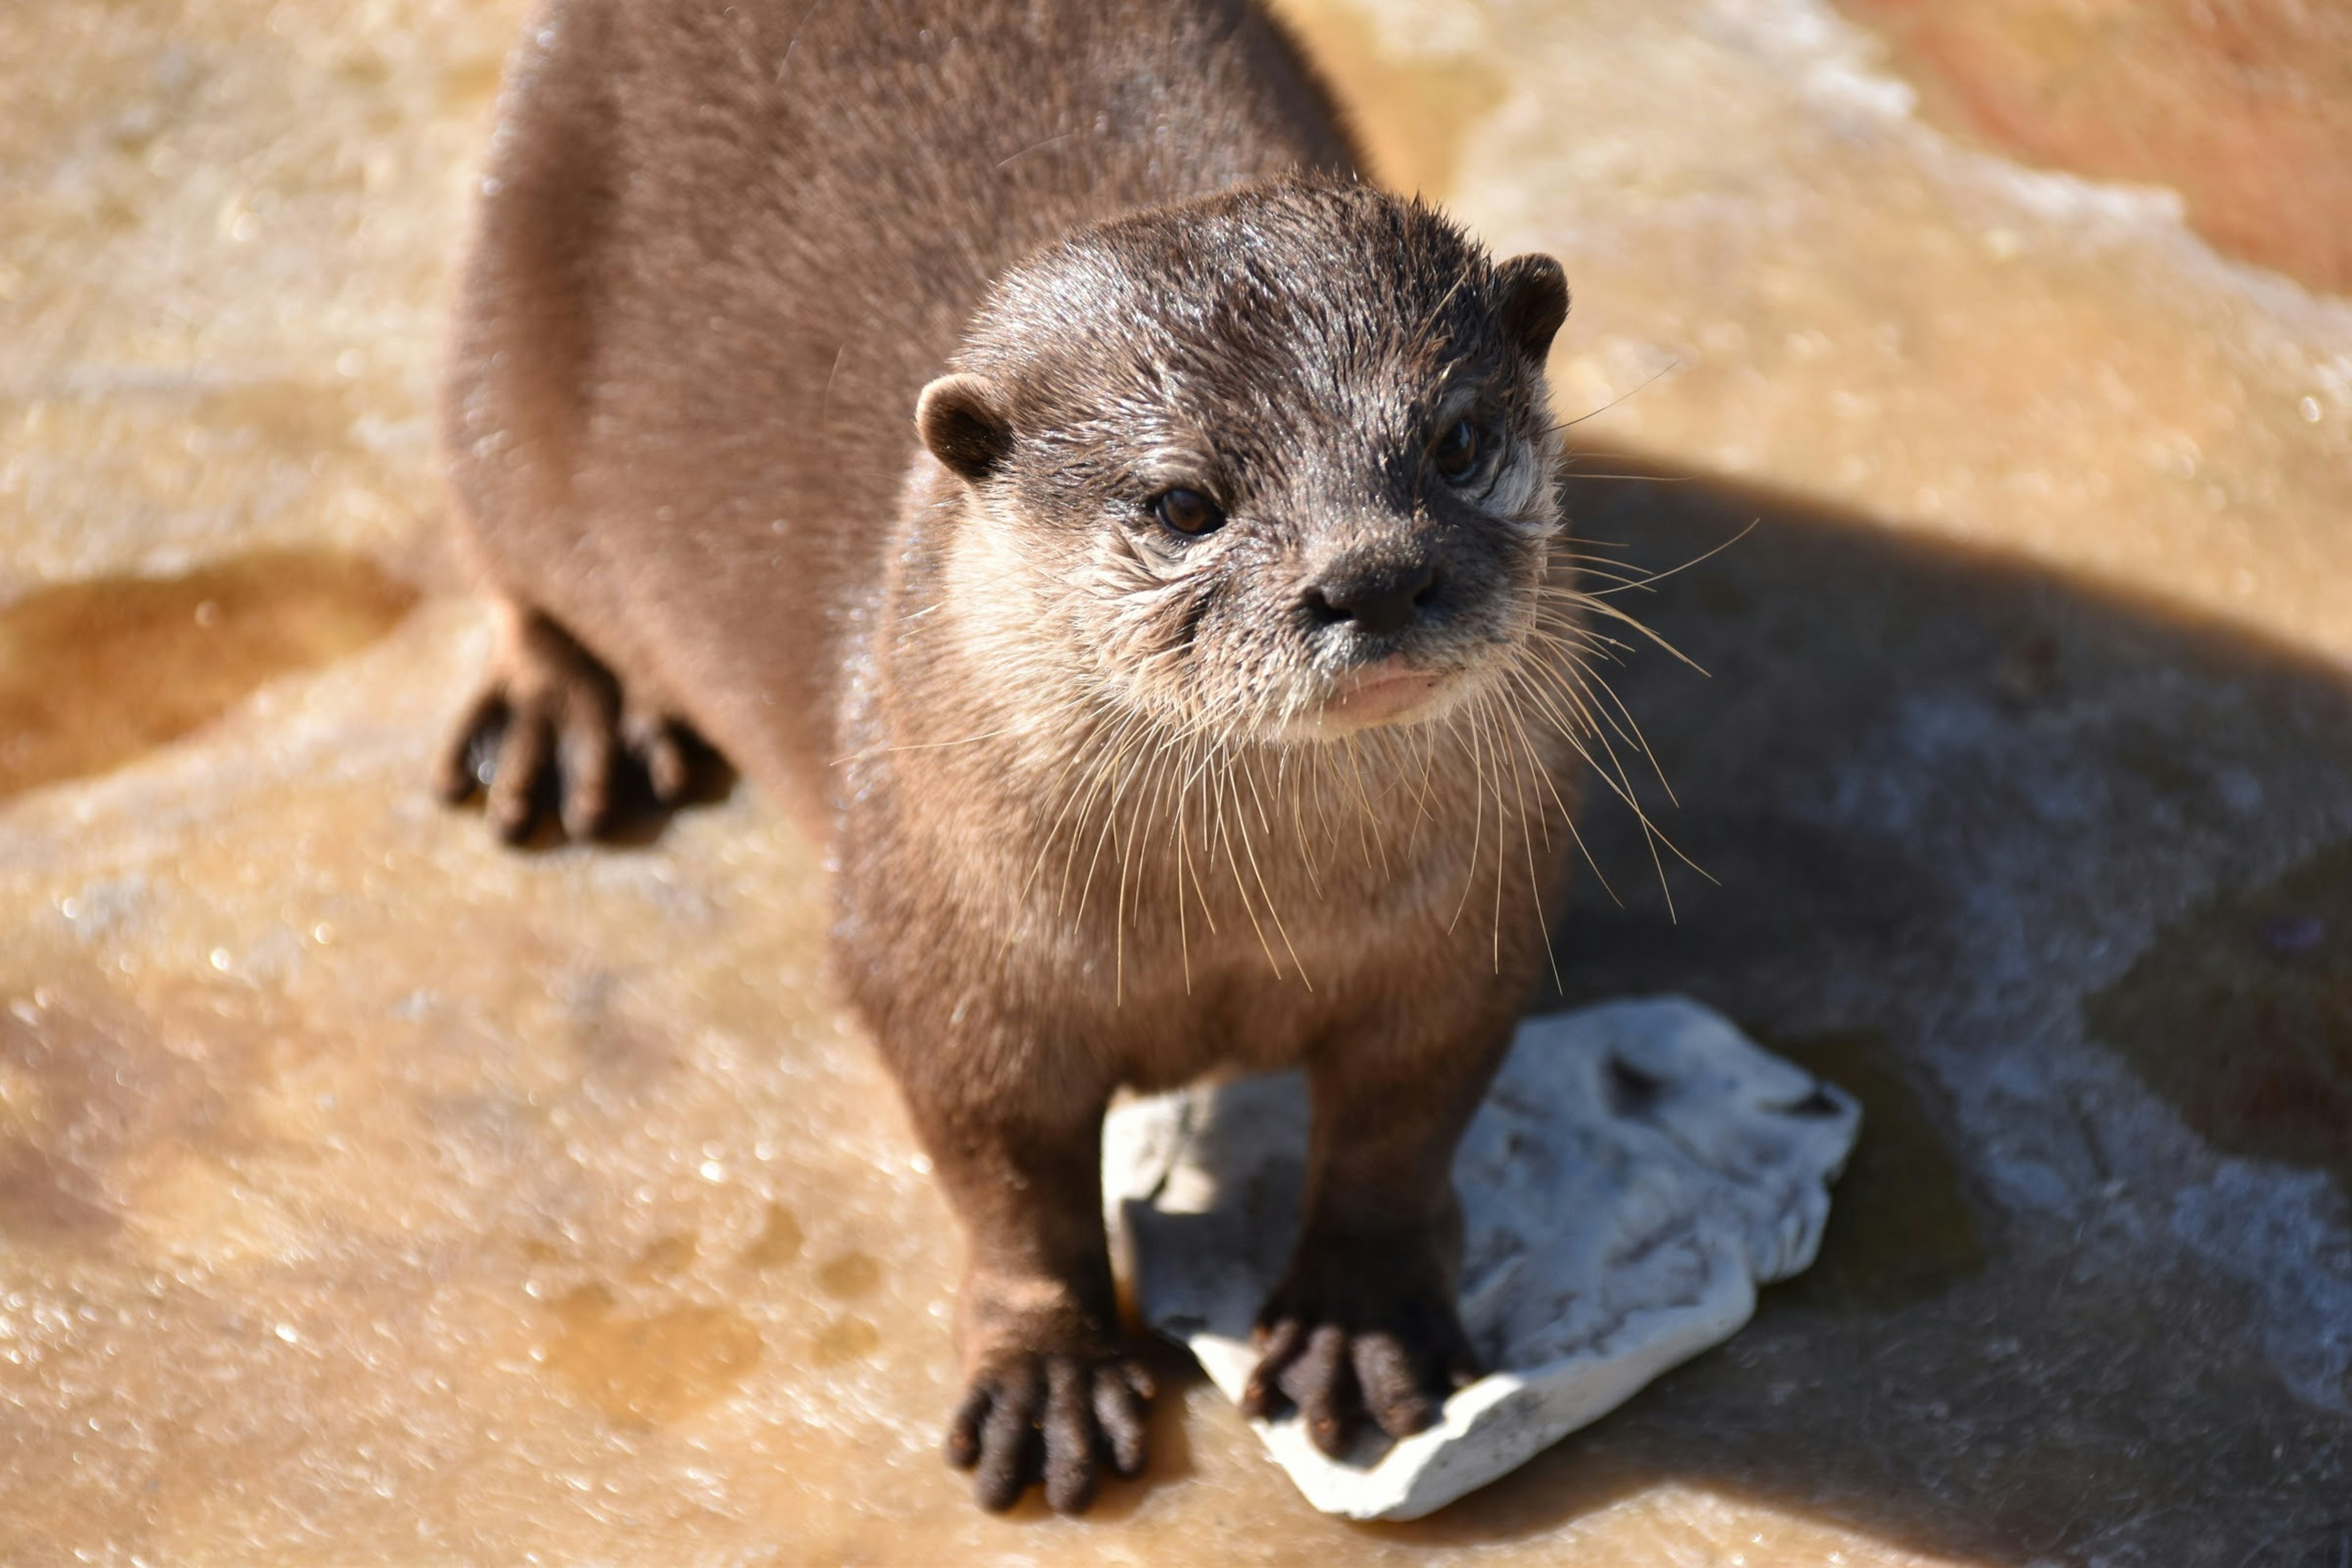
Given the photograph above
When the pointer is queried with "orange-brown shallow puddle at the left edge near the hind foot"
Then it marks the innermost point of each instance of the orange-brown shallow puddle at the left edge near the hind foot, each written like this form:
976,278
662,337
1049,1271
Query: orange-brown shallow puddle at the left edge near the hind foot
100,674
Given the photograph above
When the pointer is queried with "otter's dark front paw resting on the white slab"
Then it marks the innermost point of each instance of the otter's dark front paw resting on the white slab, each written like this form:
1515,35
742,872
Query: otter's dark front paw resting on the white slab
1351,1343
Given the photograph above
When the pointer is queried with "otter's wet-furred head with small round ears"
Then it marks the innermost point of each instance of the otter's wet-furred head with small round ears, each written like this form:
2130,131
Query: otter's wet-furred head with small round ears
1269,467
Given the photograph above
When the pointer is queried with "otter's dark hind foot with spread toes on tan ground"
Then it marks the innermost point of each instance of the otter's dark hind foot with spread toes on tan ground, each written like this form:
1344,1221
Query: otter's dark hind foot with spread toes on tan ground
552,732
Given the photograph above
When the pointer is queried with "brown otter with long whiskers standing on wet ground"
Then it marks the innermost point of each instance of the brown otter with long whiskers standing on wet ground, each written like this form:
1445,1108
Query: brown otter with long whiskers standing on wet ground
1125,540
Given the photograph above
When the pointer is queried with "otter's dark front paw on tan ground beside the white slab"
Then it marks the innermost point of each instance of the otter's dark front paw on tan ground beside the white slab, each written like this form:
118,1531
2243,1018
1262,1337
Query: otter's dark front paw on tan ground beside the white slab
1055,1419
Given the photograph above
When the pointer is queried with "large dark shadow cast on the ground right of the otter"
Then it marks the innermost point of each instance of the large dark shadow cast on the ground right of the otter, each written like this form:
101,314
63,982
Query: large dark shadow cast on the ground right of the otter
2059,887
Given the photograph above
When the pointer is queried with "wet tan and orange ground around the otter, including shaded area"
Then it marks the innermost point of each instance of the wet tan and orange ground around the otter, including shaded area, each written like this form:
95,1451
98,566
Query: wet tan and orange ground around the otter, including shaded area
377,1195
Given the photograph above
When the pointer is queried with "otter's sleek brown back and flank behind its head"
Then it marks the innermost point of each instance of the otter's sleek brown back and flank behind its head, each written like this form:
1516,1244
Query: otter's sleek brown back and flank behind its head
726,246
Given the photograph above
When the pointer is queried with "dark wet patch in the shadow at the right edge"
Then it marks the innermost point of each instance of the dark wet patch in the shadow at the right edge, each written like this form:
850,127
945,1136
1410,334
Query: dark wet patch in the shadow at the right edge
2240,1014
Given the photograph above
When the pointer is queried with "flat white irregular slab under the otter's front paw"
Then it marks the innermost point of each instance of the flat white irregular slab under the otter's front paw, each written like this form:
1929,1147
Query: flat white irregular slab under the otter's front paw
1636,1174
